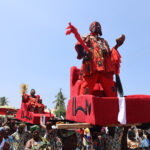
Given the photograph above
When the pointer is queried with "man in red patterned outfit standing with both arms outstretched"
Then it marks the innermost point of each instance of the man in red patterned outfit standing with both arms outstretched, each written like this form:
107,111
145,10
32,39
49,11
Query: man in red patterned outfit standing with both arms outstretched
99,63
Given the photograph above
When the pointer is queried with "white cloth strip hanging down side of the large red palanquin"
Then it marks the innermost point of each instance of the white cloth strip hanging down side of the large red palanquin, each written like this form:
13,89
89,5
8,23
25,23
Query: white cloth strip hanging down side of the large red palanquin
122,110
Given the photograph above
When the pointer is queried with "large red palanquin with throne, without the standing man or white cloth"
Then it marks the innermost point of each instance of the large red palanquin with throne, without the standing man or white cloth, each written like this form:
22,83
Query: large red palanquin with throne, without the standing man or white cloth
98,110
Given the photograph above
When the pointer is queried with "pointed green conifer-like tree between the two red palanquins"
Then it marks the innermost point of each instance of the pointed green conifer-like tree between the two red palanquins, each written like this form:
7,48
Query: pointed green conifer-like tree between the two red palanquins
60,109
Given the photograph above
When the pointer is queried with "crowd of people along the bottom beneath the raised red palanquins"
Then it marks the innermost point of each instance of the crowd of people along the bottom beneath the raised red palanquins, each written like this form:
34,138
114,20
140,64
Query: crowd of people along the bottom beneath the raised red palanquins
14,136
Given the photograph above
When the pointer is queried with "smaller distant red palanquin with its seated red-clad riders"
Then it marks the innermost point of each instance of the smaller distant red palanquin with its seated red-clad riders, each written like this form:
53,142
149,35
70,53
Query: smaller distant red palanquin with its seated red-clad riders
31,107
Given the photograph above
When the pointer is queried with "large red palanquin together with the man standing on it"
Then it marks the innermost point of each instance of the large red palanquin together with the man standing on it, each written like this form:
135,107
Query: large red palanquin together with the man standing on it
93,93
